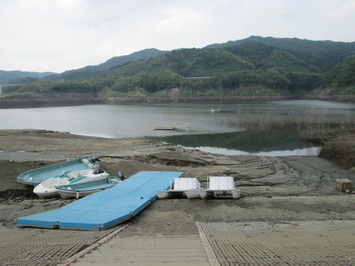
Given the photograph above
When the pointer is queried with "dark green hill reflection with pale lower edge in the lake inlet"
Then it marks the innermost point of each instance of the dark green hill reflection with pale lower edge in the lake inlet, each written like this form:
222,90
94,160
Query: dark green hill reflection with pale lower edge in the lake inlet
275,142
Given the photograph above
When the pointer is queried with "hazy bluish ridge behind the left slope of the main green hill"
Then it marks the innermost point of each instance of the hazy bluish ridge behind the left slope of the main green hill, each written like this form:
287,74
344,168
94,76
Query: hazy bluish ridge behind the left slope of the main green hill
96,70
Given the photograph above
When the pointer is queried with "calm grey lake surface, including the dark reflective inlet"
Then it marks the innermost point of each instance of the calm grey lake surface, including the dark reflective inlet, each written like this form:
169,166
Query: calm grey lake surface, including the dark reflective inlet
208,126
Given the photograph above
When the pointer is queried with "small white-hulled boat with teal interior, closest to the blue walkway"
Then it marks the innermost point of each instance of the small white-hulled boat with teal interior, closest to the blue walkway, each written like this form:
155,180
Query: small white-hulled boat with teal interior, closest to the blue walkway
80,190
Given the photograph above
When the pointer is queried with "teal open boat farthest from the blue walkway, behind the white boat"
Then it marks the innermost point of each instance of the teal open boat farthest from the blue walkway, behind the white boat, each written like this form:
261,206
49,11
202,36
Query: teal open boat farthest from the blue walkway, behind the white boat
36,176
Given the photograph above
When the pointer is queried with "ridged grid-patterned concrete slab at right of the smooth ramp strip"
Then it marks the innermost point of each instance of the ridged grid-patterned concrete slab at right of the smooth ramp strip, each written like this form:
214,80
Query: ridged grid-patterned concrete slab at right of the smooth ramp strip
289,243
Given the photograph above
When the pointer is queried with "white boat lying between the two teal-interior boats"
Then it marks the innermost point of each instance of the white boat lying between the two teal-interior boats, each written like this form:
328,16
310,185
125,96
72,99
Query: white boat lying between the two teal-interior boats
47,189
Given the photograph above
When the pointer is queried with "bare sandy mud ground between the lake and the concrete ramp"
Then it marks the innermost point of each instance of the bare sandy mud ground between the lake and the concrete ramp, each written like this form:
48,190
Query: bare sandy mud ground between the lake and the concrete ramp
273,189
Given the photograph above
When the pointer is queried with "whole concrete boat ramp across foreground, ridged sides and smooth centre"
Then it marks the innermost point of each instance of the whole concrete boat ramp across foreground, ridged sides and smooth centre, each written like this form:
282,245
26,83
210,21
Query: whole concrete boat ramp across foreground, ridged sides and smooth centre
219,243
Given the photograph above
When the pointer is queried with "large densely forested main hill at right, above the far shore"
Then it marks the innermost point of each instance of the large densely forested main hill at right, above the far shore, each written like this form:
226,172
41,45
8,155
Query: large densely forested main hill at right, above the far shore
256,65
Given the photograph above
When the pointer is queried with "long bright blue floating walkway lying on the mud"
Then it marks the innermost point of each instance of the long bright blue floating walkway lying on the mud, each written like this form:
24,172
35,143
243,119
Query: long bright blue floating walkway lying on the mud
106,208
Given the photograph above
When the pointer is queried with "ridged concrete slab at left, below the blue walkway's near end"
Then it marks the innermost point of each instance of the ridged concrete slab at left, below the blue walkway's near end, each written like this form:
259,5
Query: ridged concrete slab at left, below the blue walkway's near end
29,246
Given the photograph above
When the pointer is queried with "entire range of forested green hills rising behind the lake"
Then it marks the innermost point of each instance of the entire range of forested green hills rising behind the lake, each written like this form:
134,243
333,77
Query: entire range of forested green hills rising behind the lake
255,66
